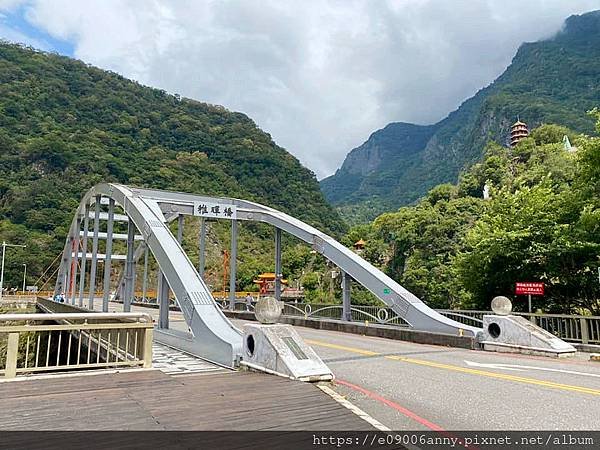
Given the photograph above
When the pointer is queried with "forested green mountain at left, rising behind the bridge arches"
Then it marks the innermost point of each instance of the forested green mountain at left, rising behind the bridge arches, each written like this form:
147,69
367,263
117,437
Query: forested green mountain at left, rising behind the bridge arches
65,126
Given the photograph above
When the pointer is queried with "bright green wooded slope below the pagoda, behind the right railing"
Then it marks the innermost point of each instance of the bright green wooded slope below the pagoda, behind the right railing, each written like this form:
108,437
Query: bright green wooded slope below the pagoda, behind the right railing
541,223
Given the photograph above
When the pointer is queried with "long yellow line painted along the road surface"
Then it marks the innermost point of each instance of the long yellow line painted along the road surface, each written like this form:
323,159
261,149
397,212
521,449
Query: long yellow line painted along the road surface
484,373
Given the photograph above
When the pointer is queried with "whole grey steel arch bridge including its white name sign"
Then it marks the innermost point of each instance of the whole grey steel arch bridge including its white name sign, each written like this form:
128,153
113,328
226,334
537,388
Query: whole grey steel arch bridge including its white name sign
148,214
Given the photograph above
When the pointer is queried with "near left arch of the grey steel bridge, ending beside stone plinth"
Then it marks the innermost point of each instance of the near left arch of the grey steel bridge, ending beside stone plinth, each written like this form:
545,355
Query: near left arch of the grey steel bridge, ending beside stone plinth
216,338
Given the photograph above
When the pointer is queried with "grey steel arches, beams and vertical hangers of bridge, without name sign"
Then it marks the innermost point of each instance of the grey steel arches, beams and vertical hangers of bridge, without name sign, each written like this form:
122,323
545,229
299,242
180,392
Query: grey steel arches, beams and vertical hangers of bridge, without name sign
214,337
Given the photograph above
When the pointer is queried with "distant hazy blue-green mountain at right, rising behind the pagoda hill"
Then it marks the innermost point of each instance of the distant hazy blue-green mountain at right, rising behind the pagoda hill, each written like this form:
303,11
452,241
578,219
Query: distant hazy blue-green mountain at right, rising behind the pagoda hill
550,81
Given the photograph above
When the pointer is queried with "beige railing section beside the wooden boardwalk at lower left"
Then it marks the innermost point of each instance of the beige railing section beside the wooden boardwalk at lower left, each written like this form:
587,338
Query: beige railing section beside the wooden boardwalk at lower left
29,344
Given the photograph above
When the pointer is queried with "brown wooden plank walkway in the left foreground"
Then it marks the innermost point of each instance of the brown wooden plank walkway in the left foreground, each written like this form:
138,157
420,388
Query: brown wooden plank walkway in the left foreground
153,400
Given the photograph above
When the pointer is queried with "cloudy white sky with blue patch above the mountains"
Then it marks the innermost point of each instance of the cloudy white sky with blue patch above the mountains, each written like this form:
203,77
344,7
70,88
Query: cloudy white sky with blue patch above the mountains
318,75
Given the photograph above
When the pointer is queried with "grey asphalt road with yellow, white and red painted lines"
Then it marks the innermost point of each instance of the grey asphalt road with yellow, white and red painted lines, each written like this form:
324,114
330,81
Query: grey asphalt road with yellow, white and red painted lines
410,386
